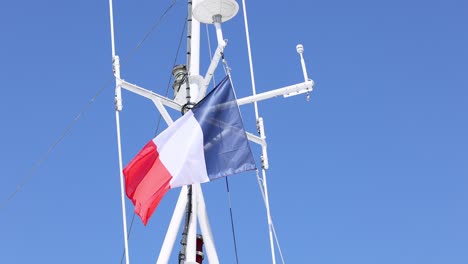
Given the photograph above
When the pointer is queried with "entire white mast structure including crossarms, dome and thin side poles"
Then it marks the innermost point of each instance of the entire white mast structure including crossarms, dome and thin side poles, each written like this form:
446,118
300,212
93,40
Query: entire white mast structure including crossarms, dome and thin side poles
210,12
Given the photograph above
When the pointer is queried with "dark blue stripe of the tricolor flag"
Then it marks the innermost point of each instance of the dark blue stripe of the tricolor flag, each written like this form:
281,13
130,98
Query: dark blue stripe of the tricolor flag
226,148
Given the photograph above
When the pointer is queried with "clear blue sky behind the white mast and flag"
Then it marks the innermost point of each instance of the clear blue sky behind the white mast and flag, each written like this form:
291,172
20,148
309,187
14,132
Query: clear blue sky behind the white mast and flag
373,169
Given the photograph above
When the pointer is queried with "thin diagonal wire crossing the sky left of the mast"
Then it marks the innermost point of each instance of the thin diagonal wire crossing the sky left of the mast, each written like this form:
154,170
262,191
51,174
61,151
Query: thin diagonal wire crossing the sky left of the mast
68,128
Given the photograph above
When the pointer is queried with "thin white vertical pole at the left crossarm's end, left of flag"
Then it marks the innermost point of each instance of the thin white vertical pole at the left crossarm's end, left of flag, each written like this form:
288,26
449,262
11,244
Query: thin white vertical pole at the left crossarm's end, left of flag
118,108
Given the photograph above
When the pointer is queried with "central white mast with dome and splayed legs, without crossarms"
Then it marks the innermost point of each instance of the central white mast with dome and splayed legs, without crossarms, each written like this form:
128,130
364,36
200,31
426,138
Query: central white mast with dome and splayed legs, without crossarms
211,12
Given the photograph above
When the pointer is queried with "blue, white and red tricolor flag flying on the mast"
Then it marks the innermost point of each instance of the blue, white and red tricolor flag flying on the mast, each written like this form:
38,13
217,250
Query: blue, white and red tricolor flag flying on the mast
206,143
